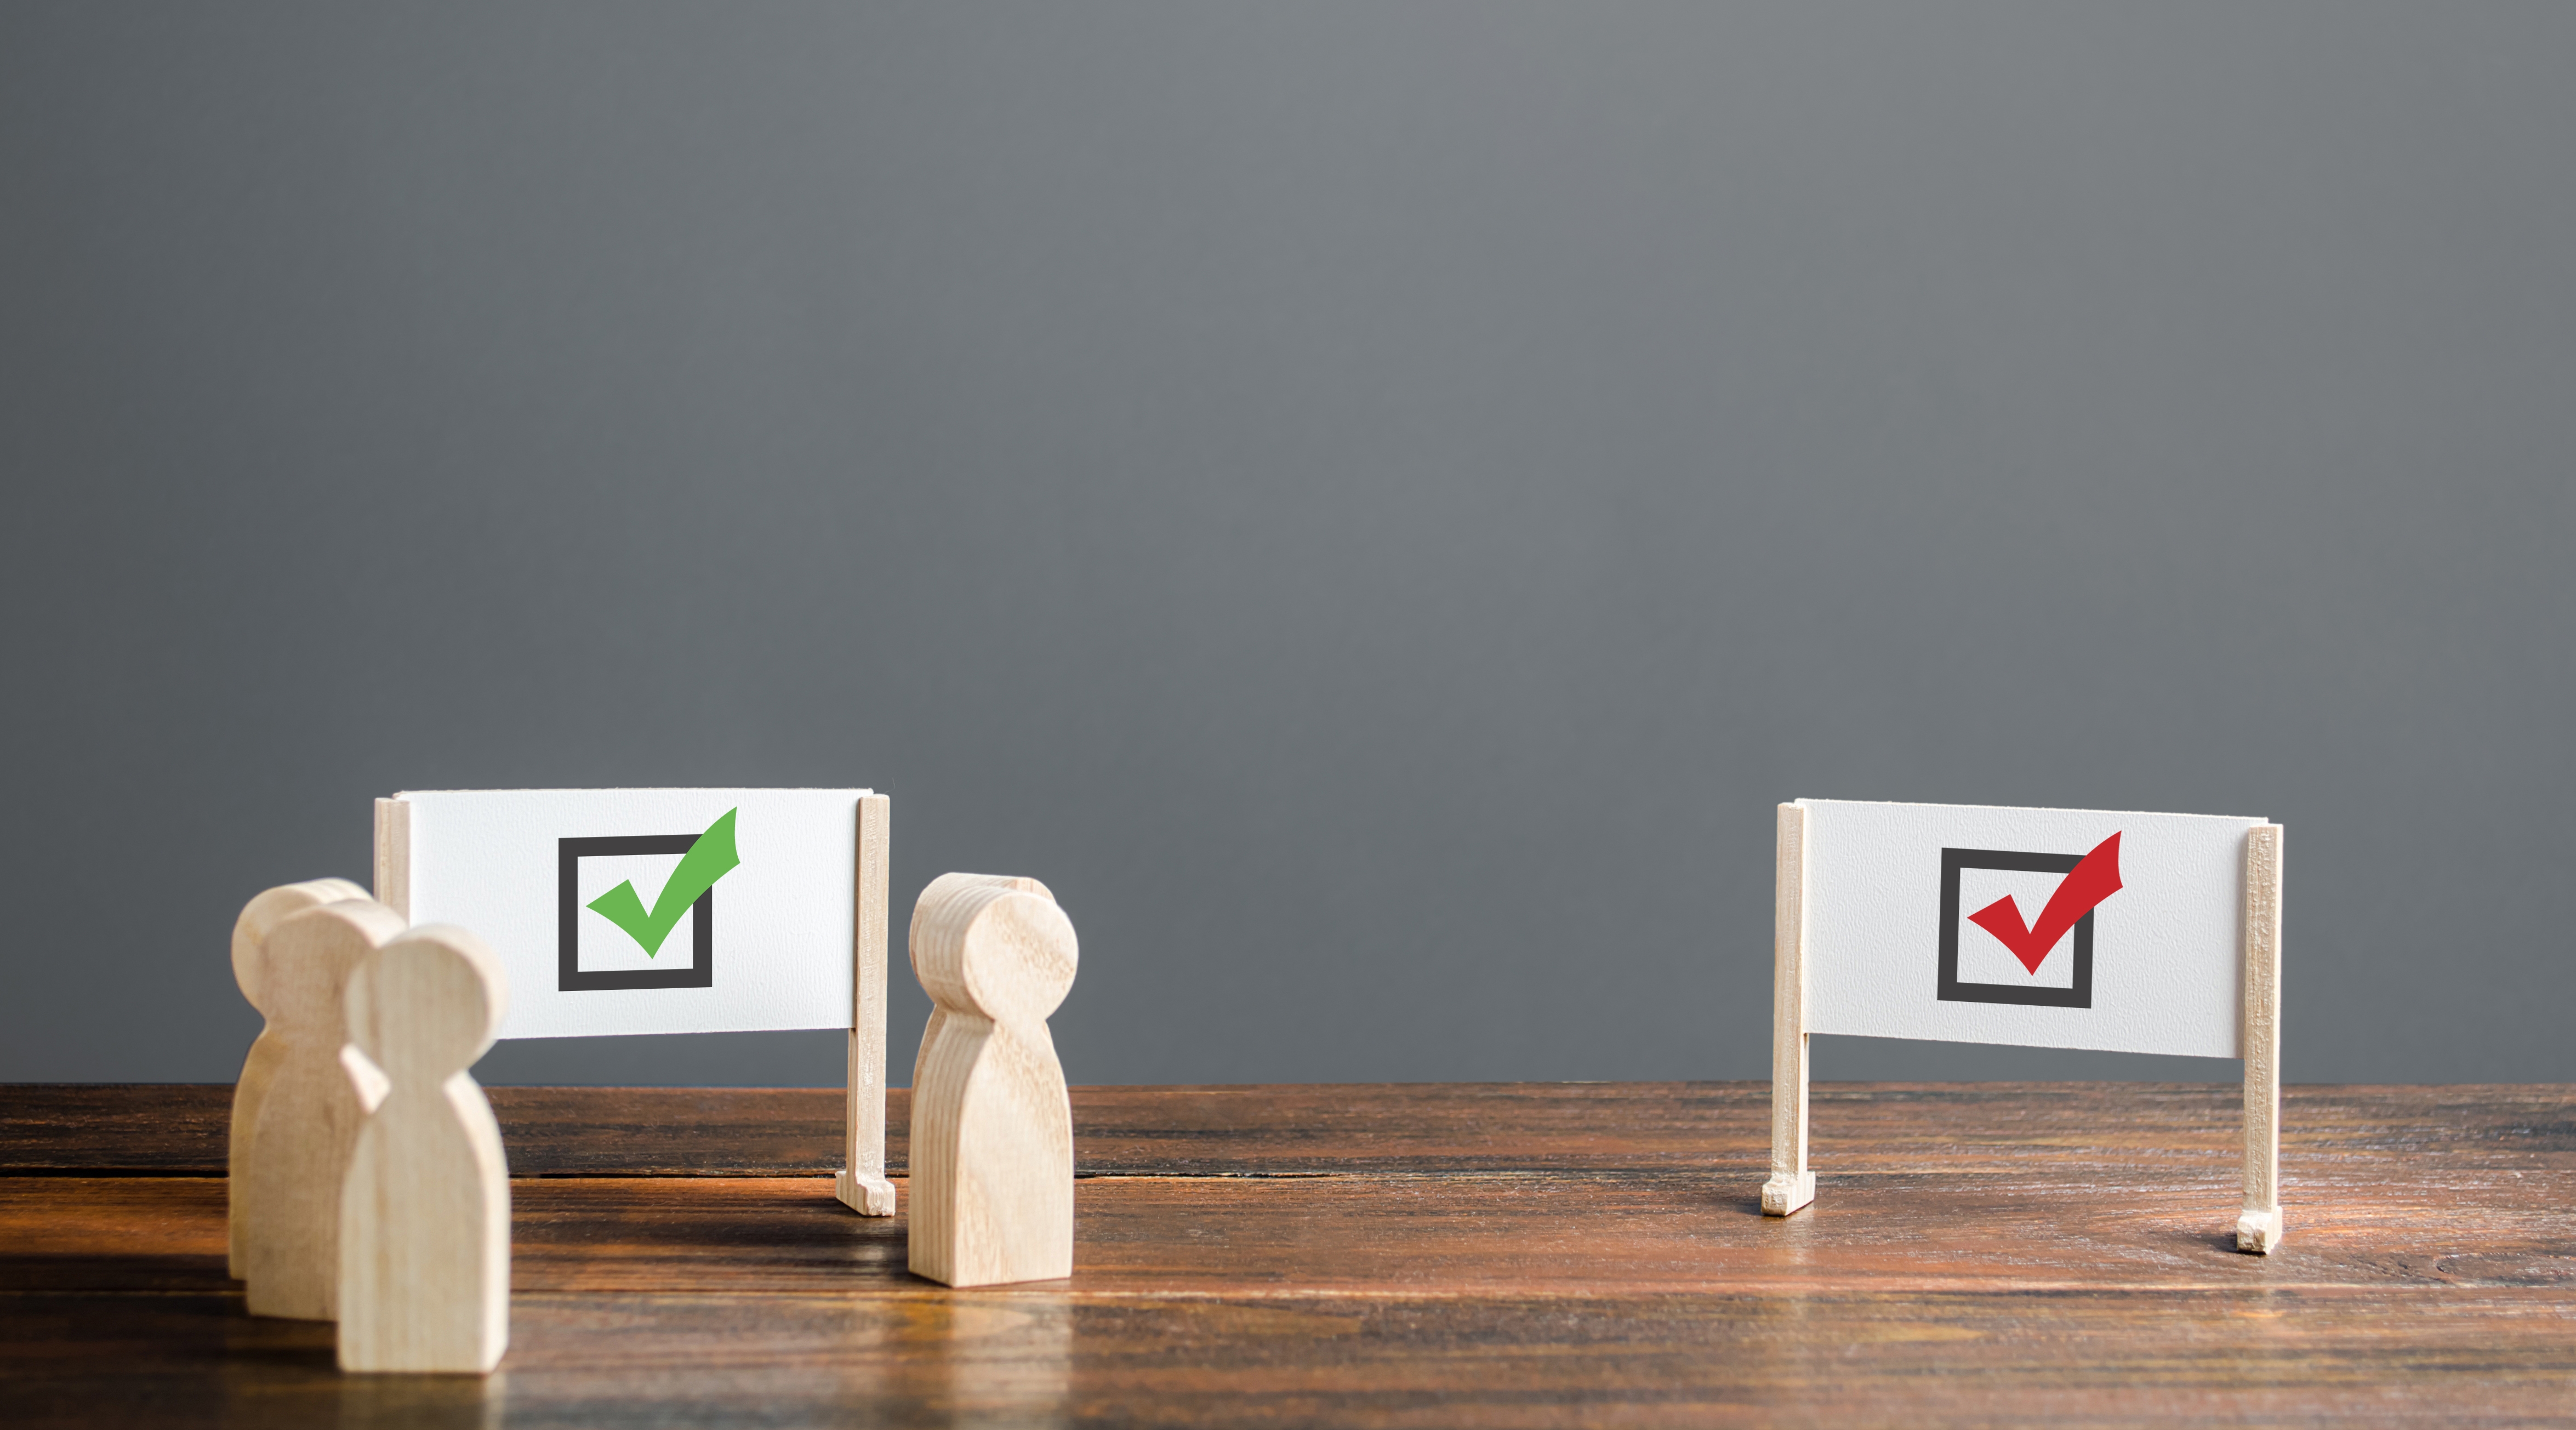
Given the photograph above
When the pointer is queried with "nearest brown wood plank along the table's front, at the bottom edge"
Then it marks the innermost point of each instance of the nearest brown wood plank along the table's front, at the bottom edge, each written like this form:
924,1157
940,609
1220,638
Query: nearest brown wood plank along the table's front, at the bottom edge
1052,1359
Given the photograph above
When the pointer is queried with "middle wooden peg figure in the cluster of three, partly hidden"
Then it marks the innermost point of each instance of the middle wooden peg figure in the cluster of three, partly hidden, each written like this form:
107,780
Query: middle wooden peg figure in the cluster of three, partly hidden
287,1199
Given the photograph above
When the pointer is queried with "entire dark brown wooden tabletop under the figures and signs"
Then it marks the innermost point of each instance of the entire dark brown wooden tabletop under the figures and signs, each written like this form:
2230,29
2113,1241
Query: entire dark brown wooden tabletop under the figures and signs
1385,1256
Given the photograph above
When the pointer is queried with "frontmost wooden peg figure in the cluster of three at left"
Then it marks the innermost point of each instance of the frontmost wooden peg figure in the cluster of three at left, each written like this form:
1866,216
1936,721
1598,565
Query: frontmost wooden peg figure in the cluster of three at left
426,1202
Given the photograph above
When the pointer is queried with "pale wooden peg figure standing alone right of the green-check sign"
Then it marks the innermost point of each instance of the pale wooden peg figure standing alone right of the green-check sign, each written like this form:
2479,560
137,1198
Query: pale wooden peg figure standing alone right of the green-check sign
993,1130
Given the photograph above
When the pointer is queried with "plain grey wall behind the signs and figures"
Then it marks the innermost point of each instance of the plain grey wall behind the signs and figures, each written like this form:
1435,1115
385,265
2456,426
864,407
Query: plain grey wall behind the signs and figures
1372,501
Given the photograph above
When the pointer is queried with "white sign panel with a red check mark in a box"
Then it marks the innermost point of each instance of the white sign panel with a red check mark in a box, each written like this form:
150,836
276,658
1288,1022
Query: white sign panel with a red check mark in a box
2060,929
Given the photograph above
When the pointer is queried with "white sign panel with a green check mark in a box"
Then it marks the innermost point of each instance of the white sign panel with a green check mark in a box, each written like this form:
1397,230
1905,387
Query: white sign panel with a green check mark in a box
643,911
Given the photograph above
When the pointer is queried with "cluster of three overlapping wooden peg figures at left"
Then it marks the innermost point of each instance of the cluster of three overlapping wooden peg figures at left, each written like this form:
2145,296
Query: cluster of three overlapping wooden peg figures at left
367,1174
